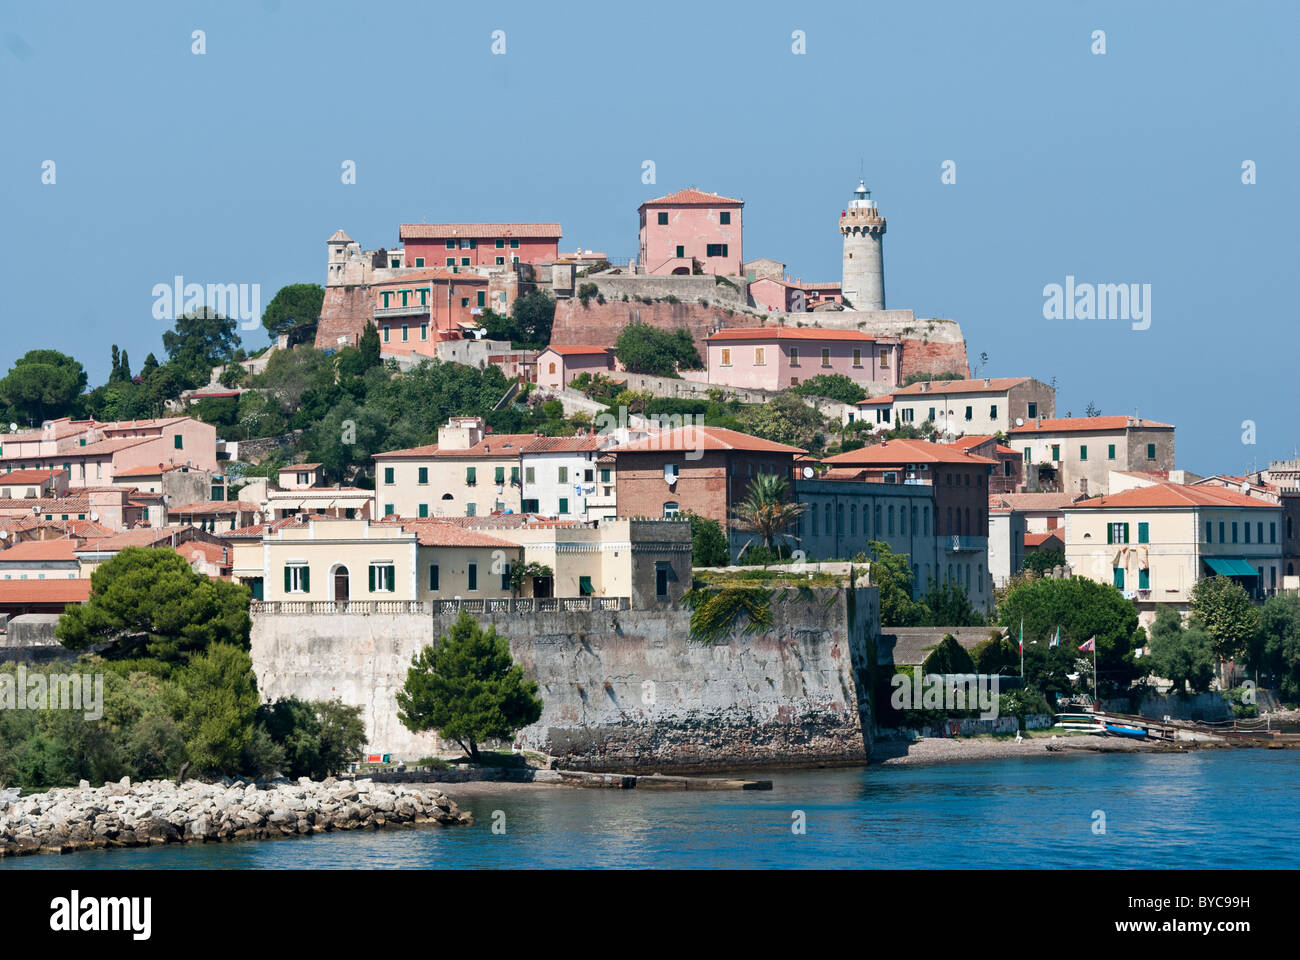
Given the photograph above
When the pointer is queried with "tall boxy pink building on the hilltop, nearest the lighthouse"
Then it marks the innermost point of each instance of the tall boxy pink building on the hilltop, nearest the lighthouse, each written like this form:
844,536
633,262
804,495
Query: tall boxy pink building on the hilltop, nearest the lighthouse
690,230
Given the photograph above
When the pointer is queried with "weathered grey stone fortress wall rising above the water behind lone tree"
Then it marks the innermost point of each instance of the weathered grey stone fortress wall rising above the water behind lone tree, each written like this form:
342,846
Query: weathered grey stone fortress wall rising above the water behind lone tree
622,690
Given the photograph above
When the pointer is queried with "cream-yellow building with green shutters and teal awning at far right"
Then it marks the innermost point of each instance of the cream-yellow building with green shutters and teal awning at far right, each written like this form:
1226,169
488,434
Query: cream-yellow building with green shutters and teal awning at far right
1155,543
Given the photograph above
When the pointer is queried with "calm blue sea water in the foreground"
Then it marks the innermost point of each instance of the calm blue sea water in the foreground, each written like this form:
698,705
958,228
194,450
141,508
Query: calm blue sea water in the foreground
1233,810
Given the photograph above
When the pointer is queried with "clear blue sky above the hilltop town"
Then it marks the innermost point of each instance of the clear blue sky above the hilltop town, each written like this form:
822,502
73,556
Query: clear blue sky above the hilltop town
1116,168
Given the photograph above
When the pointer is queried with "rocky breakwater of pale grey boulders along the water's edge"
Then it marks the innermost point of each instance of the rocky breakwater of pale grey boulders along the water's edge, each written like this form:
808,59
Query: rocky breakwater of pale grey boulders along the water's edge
159,812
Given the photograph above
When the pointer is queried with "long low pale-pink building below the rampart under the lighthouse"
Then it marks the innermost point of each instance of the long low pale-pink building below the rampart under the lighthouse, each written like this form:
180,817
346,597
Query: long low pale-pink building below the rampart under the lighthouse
774,358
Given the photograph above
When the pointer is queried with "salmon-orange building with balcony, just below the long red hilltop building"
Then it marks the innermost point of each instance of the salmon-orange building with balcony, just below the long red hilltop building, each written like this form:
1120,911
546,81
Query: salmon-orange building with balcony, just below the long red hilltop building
415,312
